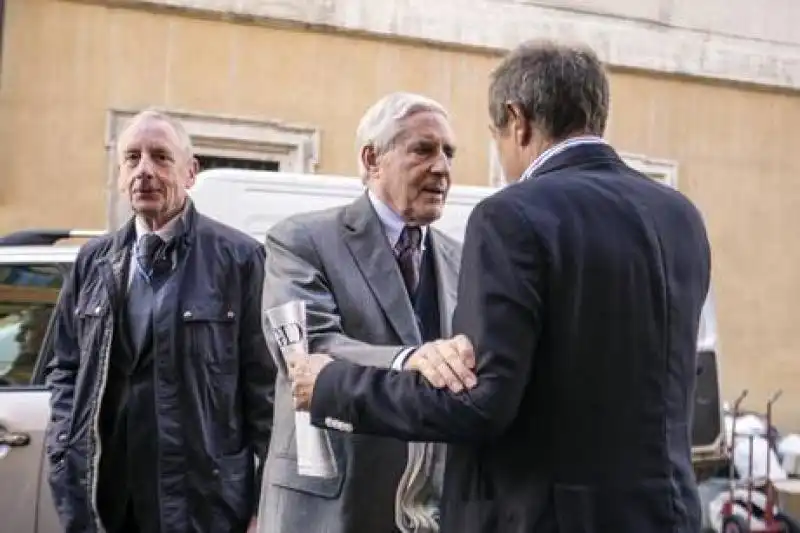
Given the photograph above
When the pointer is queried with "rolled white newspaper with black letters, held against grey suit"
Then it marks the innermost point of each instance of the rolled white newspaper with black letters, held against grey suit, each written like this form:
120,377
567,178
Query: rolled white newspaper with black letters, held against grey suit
287,323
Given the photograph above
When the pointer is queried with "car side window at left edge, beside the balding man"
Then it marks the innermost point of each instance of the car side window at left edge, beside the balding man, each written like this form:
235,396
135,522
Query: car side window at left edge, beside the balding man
28,294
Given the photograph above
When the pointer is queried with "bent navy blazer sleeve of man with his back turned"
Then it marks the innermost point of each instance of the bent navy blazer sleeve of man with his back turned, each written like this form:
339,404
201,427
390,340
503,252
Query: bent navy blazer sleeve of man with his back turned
499,308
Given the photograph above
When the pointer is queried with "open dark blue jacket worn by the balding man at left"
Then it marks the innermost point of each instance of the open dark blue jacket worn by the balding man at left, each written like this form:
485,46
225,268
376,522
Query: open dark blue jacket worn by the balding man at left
214,378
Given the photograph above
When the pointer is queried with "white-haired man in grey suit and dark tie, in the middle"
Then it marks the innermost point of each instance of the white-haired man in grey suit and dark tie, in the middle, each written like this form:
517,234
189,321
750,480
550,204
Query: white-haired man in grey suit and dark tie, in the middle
379,283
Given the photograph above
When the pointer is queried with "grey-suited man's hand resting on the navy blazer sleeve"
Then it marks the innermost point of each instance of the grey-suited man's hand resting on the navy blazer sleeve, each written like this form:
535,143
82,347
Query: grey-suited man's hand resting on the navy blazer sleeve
447,363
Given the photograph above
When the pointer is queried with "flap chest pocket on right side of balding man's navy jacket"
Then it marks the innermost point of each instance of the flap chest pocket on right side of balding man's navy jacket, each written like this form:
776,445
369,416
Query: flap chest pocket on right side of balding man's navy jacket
210,334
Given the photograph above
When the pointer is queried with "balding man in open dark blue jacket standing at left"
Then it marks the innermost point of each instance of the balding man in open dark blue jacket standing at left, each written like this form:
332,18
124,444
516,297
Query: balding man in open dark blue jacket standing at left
161,380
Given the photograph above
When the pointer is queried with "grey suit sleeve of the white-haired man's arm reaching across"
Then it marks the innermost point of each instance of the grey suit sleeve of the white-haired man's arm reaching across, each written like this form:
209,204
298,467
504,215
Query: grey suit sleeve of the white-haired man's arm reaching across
294,271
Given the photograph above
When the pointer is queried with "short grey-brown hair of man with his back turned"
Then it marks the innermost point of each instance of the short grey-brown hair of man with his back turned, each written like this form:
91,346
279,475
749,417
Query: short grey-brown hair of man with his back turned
561,90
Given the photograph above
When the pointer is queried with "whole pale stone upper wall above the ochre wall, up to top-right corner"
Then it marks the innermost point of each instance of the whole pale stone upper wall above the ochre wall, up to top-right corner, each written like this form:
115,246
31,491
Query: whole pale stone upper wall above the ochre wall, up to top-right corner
724,39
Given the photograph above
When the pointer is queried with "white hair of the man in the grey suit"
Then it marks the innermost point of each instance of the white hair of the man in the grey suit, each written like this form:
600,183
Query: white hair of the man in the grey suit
382,123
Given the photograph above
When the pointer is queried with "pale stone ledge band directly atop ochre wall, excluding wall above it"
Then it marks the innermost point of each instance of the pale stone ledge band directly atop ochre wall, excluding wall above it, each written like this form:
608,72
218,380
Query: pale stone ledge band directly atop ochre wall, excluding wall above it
498,25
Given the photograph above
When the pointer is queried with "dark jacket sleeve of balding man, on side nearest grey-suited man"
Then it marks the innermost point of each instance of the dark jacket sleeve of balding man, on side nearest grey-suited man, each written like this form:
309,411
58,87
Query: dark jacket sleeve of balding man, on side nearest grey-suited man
257,368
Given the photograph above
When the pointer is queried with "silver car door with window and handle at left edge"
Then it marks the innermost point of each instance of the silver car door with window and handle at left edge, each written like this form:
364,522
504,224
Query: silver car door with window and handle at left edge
28,293
